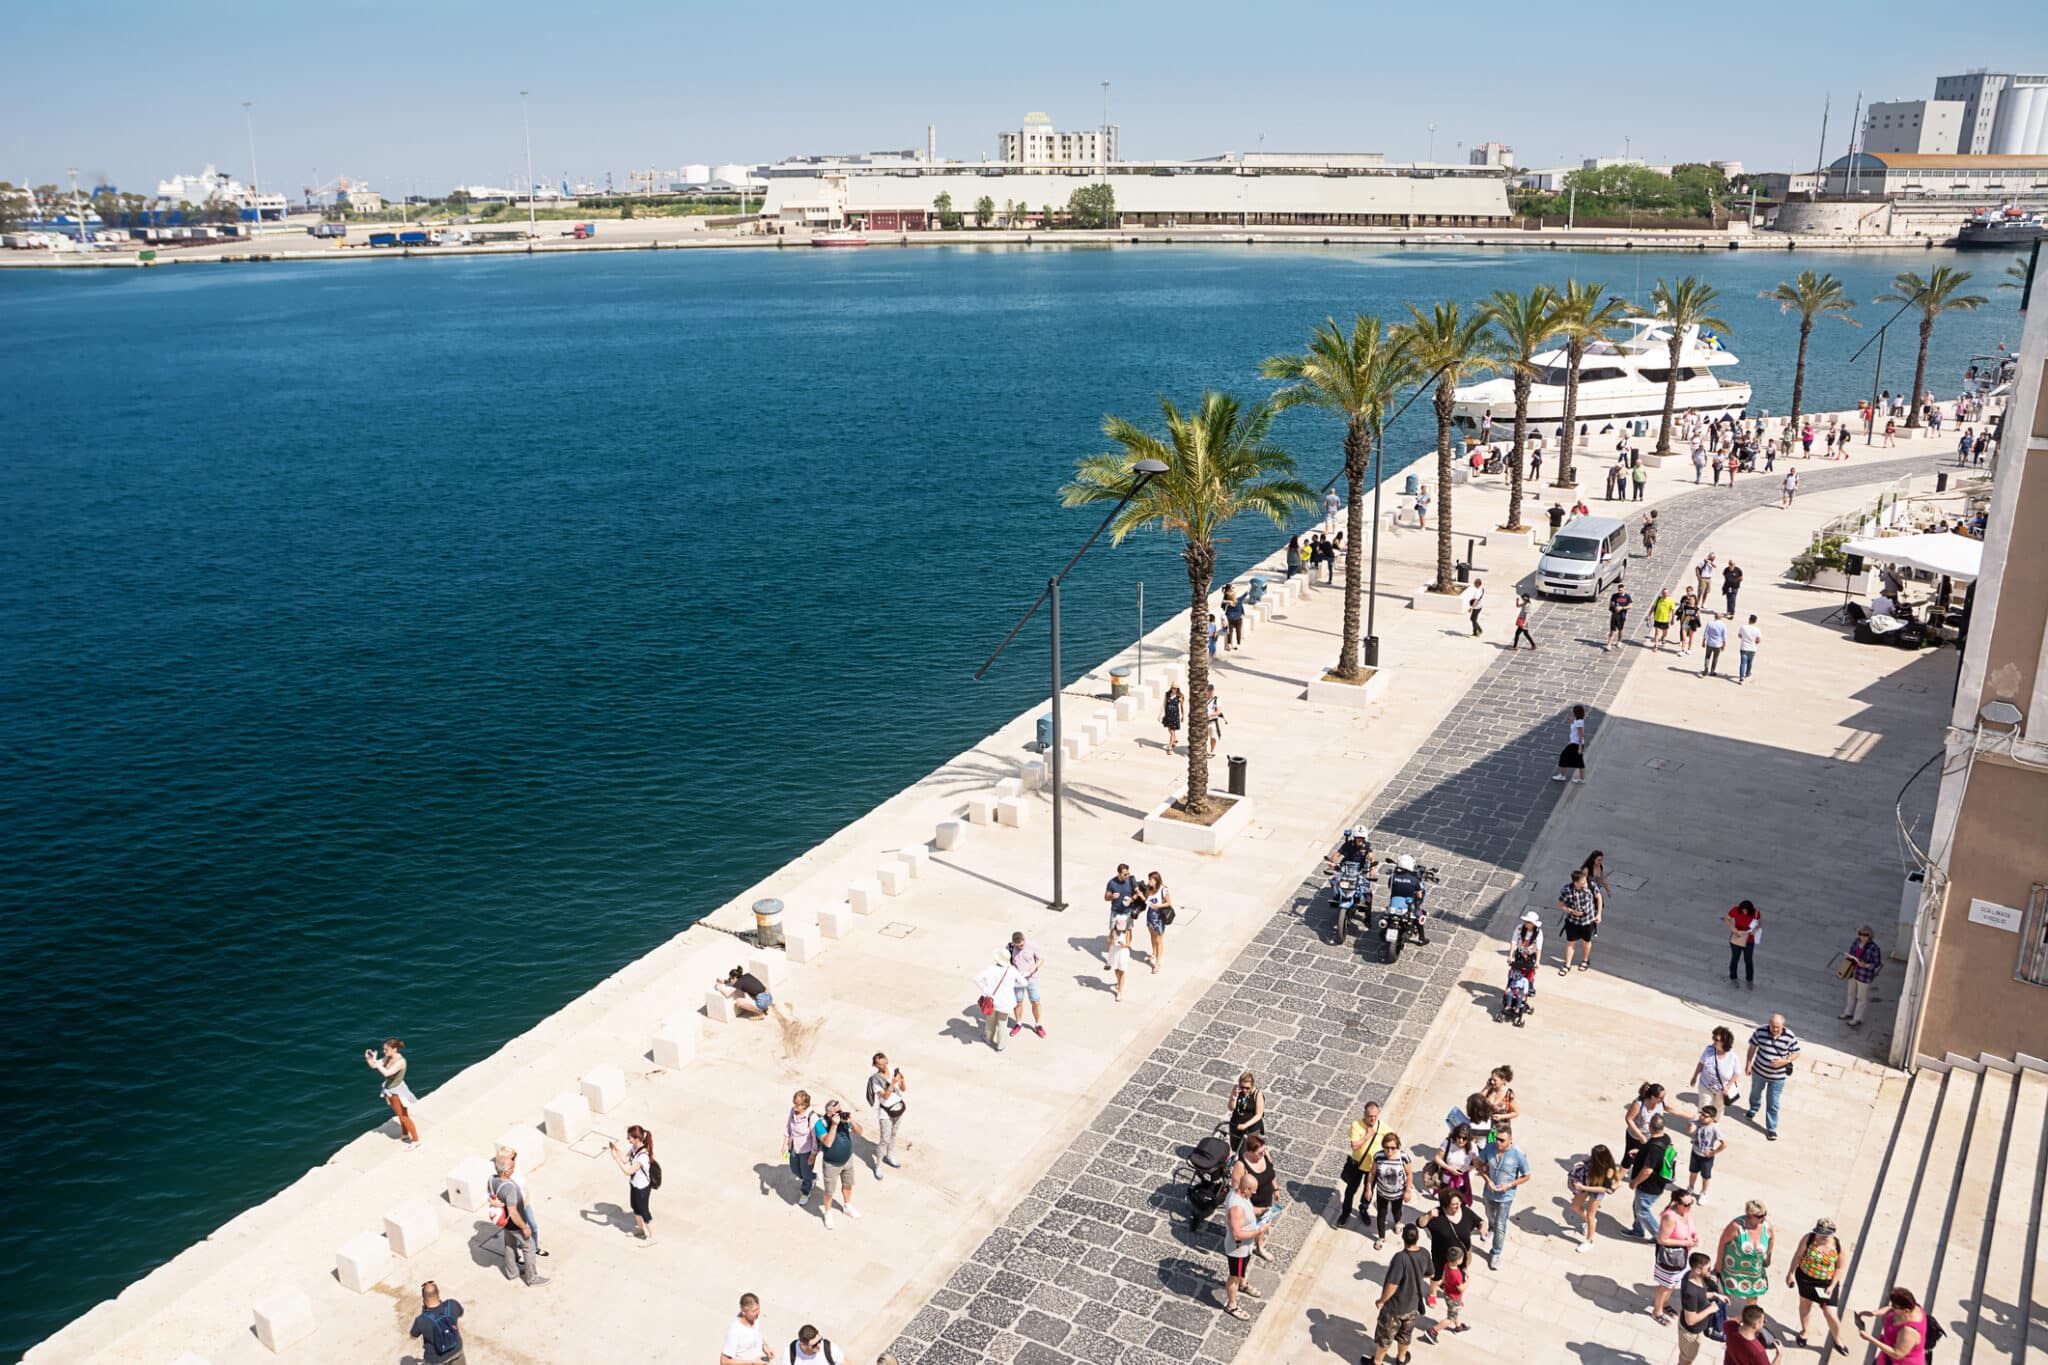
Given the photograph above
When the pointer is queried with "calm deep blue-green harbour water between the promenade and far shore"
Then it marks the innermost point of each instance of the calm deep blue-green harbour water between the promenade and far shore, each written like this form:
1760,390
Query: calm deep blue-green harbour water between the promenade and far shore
361,619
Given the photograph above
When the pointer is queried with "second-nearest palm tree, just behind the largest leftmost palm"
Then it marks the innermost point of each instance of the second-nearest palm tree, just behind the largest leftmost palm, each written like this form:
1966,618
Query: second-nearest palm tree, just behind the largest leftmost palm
1353,378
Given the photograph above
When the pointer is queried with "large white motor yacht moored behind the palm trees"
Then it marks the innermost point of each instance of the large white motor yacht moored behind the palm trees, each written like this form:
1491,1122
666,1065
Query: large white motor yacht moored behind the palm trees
1619,380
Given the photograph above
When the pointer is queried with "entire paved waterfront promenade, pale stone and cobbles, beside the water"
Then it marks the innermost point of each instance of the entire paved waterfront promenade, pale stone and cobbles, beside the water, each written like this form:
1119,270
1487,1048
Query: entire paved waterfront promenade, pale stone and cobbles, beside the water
1039,1213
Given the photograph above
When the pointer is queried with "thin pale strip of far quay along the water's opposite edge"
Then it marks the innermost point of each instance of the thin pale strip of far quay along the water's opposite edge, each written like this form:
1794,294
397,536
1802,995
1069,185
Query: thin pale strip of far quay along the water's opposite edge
1555,240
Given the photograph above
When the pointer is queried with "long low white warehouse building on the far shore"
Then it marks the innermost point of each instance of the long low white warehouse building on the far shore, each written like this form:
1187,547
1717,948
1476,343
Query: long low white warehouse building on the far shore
1228,191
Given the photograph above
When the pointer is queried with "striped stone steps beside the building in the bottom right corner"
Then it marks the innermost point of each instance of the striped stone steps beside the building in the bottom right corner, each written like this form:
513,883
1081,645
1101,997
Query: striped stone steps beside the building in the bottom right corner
1955,1213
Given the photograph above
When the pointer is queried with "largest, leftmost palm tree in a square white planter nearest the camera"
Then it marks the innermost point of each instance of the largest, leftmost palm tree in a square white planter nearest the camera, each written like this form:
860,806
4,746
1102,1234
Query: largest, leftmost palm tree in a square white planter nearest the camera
1220,466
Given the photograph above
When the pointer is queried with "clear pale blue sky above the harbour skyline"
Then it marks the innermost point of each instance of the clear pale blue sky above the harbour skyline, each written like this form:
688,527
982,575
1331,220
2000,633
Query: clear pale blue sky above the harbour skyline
427,93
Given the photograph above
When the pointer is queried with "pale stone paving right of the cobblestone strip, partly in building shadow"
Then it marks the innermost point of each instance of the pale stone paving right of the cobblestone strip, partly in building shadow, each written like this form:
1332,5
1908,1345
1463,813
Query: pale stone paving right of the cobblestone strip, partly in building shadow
1701,793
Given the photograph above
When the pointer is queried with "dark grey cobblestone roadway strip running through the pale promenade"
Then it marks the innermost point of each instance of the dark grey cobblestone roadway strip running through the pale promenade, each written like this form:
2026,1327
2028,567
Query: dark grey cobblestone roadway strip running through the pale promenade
1099,1264
